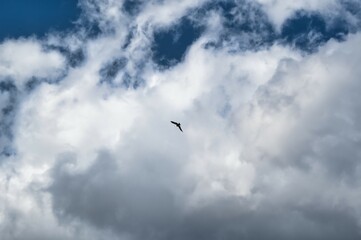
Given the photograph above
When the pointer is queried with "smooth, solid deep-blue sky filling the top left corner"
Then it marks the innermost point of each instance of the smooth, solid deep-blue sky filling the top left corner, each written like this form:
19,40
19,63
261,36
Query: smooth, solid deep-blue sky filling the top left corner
23,18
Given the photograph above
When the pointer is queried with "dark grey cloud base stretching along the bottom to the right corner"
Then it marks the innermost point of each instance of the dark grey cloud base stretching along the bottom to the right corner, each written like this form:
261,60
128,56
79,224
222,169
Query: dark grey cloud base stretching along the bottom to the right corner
137,204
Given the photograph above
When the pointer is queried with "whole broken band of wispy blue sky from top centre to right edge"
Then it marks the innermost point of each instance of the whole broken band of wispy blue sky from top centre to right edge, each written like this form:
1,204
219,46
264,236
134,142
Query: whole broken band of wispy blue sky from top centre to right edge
247,27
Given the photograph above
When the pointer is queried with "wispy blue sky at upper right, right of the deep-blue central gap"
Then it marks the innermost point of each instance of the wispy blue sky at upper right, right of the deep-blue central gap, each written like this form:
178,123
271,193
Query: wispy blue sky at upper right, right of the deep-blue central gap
304,30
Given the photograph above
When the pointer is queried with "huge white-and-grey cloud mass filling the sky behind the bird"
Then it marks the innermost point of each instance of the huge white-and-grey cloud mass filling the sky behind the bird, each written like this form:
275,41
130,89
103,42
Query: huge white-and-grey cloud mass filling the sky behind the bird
269,149
